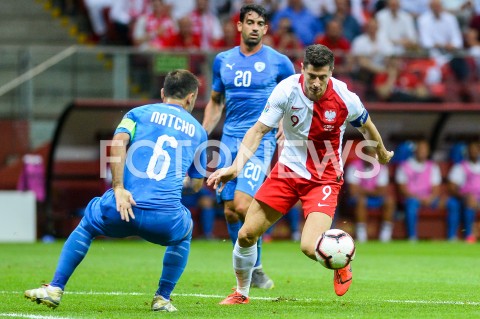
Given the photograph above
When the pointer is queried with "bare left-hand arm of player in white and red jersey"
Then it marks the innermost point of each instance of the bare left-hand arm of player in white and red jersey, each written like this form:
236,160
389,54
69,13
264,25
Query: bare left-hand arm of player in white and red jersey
250,143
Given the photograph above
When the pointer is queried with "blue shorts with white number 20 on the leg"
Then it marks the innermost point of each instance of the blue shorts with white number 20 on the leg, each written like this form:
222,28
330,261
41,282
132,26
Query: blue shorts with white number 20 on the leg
254,171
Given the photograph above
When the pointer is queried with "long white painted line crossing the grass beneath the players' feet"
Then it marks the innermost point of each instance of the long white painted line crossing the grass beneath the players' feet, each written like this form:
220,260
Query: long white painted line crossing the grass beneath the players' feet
120,293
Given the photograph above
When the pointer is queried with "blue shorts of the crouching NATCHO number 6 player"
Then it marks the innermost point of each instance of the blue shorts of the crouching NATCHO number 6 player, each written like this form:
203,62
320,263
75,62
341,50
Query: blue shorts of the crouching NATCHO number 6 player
167,226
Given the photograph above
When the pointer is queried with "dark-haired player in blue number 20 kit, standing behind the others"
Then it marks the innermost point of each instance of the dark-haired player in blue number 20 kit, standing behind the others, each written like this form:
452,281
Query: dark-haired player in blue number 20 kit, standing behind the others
243,78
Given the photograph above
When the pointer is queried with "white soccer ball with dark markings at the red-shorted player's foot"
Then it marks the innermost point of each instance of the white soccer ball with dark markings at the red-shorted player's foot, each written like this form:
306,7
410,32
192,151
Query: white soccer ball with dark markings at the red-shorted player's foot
335,249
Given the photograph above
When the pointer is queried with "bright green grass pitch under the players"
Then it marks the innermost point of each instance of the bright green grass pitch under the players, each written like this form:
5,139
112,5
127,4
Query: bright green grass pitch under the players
117,279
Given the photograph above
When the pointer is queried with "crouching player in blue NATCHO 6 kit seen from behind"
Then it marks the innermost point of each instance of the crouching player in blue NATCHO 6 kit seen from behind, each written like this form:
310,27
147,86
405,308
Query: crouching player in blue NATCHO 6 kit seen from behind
165,143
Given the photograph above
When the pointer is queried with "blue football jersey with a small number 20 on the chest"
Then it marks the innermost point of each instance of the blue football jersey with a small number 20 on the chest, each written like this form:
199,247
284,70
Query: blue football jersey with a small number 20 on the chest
246,82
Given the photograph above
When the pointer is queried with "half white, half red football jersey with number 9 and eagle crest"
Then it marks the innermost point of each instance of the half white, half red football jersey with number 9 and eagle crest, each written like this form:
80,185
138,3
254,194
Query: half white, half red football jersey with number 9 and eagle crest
313,130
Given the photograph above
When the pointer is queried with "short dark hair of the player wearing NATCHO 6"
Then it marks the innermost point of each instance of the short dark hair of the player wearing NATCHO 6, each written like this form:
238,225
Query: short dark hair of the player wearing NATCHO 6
179,83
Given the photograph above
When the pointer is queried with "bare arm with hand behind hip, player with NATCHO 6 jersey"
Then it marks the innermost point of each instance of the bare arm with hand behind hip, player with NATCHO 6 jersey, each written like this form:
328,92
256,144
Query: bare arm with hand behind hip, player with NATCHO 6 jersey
123,197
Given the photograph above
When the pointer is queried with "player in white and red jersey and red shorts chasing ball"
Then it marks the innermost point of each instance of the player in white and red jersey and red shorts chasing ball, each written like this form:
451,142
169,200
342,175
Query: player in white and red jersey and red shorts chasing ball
314,108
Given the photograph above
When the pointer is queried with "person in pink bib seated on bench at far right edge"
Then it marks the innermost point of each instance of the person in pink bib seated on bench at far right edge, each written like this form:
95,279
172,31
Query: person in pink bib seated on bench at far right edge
464,179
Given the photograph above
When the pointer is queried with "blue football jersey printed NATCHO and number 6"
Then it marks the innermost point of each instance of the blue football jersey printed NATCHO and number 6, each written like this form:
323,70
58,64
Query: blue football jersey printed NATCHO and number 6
166,143
